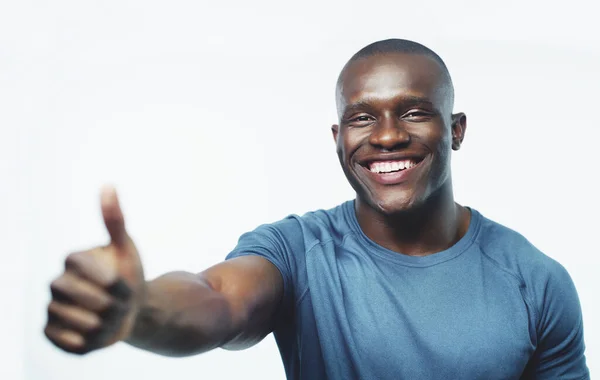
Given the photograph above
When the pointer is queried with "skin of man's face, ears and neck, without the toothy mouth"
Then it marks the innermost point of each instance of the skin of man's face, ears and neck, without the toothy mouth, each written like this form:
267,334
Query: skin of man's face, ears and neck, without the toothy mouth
391,107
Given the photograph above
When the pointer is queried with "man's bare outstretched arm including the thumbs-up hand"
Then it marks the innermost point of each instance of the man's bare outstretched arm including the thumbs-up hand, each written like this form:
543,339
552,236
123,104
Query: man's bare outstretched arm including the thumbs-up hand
102,298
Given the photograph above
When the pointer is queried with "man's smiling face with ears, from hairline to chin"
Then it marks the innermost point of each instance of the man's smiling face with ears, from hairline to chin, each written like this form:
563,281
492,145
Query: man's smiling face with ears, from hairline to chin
396,130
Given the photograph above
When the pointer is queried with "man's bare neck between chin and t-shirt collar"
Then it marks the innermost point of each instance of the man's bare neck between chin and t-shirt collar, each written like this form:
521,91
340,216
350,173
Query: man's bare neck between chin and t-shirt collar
430,228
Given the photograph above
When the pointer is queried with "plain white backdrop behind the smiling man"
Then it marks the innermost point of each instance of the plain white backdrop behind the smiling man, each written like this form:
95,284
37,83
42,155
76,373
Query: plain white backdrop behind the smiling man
212,118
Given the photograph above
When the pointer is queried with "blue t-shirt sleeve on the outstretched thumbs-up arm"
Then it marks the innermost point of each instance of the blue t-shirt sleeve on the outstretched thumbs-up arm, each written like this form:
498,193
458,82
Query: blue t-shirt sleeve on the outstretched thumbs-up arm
281,243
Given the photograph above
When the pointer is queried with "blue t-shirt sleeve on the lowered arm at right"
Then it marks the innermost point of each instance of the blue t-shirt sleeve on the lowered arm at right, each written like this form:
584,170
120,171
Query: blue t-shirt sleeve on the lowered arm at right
561,347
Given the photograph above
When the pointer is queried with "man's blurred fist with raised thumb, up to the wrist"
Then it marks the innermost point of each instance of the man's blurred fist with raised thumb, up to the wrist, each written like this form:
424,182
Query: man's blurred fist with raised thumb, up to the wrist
97,298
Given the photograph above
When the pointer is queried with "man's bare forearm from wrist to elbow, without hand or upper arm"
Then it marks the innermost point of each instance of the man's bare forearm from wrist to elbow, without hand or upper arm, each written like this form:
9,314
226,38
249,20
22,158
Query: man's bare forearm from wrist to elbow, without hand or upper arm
182,315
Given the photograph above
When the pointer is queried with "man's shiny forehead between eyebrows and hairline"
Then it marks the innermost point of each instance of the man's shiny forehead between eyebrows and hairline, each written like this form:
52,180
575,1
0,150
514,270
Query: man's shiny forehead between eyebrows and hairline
391,75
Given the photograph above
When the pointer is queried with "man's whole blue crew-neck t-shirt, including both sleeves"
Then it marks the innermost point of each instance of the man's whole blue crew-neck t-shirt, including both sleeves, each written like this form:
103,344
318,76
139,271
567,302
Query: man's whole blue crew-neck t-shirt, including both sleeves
490,307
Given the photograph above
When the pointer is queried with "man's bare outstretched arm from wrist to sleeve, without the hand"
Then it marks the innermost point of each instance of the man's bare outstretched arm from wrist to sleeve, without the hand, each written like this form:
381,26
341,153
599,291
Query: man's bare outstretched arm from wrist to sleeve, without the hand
230,305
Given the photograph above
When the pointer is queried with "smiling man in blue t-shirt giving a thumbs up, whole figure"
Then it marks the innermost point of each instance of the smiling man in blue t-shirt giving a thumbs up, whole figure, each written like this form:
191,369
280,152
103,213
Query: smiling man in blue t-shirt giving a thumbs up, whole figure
401,283
